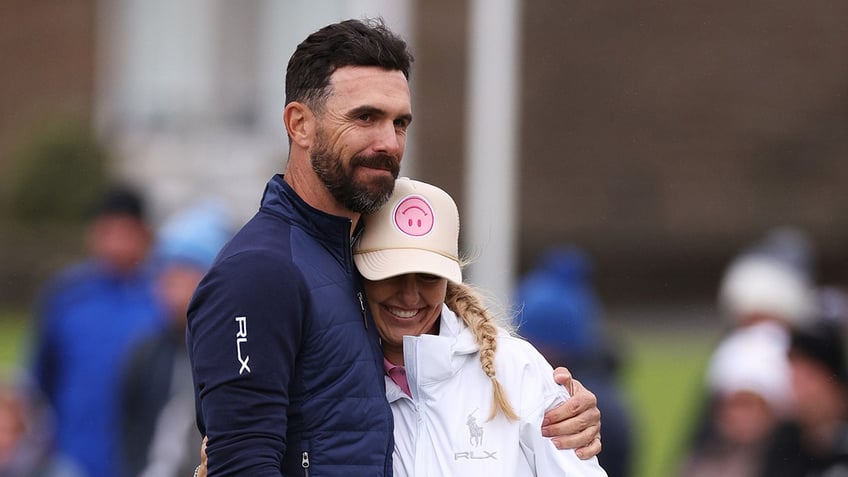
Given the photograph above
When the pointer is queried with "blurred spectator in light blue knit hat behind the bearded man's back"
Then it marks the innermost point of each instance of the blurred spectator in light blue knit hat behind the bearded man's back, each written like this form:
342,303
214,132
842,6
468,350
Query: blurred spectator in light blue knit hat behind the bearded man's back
159,438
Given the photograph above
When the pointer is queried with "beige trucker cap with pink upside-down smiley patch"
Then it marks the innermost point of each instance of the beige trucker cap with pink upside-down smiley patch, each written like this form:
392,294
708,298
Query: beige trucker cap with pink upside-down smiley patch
417,231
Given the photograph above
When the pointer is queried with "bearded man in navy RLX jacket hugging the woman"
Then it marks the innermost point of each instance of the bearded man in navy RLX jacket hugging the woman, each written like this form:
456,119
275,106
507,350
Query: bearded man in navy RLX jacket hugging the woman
287,364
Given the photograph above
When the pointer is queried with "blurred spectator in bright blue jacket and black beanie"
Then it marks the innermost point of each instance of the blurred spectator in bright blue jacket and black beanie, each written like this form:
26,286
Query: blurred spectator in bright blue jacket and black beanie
88,317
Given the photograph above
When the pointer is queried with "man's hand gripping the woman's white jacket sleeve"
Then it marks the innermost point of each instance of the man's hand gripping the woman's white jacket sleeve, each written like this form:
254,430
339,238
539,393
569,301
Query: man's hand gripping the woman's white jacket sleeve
576,423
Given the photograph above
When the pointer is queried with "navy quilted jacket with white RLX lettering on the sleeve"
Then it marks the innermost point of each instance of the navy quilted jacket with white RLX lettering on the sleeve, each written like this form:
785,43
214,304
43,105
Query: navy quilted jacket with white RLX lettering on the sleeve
287,366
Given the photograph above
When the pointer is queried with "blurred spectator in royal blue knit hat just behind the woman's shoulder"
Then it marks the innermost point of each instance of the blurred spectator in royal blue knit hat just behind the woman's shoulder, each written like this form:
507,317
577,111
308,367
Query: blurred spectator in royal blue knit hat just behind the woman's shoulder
561,313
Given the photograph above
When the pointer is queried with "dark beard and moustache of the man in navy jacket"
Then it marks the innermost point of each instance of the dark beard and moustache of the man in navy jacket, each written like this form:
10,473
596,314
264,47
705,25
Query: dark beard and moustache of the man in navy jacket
363,198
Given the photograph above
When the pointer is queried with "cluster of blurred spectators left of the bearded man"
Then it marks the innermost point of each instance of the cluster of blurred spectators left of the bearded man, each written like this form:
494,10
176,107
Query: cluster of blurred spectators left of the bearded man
107,391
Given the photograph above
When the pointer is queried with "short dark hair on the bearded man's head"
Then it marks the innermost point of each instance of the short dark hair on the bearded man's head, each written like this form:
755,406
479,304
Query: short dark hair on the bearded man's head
348,43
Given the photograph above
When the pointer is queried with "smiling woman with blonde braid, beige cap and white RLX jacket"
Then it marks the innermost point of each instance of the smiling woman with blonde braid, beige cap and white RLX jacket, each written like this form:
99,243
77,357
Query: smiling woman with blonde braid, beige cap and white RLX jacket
468,398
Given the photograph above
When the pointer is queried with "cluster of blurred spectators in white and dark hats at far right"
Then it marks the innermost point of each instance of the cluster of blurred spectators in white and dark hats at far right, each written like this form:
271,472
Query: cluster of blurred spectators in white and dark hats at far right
776,386
